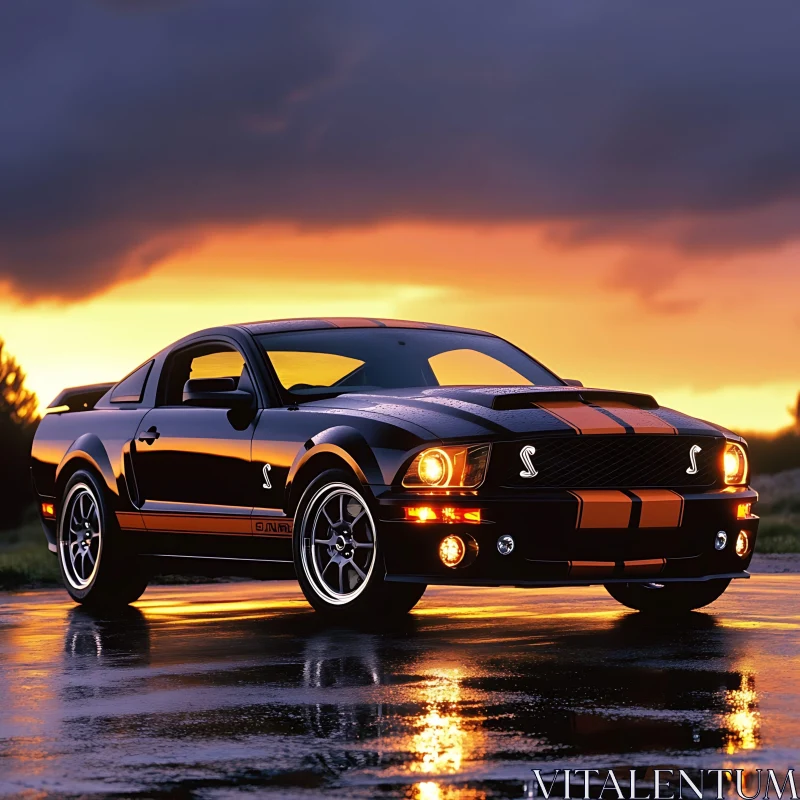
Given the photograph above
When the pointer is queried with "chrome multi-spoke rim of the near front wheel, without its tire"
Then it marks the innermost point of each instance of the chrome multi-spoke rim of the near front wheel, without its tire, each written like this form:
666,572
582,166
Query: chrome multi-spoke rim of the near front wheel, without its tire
339,543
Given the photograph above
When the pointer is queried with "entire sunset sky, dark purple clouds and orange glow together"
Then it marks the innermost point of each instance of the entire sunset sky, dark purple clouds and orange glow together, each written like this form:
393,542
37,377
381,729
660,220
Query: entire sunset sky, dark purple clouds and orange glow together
615,187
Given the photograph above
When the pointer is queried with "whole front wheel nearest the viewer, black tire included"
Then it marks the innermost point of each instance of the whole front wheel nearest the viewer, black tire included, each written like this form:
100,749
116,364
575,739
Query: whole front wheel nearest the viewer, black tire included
337,553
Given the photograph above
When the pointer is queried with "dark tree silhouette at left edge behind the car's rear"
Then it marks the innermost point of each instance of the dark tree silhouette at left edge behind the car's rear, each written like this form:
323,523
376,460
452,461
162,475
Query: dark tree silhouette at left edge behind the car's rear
18,421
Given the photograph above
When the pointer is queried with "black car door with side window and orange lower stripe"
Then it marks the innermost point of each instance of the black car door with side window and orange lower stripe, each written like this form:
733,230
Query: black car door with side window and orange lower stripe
192,462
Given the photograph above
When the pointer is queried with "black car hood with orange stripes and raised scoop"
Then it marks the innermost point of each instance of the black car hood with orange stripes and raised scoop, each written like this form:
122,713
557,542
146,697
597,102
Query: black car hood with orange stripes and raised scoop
498,412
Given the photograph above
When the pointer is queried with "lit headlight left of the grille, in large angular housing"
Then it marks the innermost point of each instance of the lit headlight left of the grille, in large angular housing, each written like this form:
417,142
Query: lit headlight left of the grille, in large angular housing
453,467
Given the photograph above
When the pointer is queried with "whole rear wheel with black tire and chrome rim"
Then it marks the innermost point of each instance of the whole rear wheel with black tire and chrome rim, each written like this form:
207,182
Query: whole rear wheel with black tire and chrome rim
96,568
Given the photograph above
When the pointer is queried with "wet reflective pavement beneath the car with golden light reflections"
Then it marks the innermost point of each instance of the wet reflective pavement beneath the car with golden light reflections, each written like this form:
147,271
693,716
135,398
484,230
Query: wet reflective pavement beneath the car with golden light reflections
221,689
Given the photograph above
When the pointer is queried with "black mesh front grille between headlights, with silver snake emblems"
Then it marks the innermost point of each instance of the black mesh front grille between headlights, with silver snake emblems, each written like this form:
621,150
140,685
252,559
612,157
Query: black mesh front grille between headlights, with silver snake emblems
609,462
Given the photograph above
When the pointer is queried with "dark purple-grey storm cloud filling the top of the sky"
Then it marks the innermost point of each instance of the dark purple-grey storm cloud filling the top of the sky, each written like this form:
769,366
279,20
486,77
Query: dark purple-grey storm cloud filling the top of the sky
127,128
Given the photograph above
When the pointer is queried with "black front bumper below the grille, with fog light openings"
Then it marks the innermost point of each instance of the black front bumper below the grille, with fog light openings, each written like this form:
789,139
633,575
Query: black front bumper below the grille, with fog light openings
552,549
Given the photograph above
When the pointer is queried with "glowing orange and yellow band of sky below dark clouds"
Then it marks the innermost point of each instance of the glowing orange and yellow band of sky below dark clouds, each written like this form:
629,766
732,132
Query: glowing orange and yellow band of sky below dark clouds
569,306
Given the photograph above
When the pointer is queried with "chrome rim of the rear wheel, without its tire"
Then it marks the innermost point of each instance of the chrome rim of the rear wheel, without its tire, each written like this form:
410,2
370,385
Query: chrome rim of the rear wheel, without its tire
80,537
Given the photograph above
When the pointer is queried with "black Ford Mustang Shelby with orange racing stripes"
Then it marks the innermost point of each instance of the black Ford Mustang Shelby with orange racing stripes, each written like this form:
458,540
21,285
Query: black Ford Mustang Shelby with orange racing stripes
370,458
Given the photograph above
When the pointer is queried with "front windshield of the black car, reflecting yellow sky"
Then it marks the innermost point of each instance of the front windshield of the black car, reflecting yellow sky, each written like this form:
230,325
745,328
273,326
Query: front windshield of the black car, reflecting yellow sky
323,363
